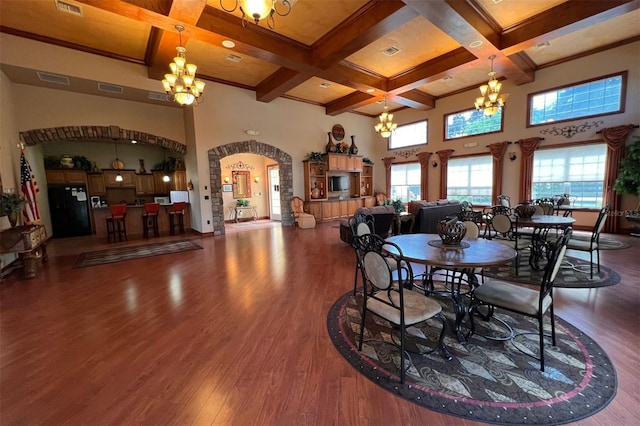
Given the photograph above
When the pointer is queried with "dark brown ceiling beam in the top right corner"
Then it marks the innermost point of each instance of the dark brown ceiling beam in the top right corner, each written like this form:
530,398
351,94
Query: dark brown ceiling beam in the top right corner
568,17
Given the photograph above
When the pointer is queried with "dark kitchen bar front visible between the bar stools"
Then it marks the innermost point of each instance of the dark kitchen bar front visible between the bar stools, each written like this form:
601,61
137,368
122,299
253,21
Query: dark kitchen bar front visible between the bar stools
133,220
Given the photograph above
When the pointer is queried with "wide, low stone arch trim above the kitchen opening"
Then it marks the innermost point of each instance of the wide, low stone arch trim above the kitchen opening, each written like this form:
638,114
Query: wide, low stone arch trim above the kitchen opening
98,133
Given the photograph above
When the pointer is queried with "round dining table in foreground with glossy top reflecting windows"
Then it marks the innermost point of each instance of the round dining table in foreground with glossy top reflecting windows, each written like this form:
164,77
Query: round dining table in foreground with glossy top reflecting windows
427,249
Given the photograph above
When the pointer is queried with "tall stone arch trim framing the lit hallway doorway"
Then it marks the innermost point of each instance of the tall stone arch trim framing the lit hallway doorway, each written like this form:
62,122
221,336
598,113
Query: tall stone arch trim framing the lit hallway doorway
249,147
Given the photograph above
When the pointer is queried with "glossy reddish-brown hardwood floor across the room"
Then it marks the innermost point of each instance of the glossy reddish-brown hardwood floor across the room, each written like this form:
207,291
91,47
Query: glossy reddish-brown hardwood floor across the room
234,334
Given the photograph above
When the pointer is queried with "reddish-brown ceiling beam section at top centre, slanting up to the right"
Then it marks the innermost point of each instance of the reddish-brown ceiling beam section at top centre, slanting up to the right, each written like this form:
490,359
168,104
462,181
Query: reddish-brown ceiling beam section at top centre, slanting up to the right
371,22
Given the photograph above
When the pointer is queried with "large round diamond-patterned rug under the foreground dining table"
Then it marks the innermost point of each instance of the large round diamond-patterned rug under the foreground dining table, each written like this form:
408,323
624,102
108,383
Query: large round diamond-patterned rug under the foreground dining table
486,381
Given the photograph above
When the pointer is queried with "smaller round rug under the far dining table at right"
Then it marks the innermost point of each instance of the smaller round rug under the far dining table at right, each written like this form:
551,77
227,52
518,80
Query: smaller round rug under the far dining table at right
577,276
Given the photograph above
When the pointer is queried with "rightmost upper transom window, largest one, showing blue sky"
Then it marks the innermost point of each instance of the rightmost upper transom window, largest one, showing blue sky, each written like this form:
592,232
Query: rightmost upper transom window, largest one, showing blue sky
586,99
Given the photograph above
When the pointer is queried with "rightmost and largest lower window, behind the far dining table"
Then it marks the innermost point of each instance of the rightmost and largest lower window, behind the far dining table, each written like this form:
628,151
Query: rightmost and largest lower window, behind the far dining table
577,171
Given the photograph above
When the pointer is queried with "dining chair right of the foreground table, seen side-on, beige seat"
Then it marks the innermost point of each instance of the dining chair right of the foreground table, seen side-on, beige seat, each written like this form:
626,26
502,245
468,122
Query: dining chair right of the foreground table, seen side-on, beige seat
513,297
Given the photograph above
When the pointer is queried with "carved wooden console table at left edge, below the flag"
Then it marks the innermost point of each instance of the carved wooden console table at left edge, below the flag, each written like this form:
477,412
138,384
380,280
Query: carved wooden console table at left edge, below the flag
29,242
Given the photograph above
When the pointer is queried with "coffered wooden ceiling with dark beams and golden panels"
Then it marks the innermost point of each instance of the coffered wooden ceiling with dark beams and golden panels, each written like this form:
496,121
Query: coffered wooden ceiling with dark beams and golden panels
331,52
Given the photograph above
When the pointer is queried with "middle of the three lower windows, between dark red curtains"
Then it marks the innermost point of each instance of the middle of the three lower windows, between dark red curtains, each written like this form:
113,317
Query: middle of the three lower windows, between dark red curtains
470,179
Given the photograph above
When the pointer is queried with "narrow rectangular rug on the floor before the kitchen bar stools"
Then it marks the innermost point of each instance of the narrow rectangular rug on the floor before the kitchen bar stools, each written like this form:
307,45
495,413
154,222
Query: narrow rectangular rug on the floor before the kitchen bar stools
120,254
